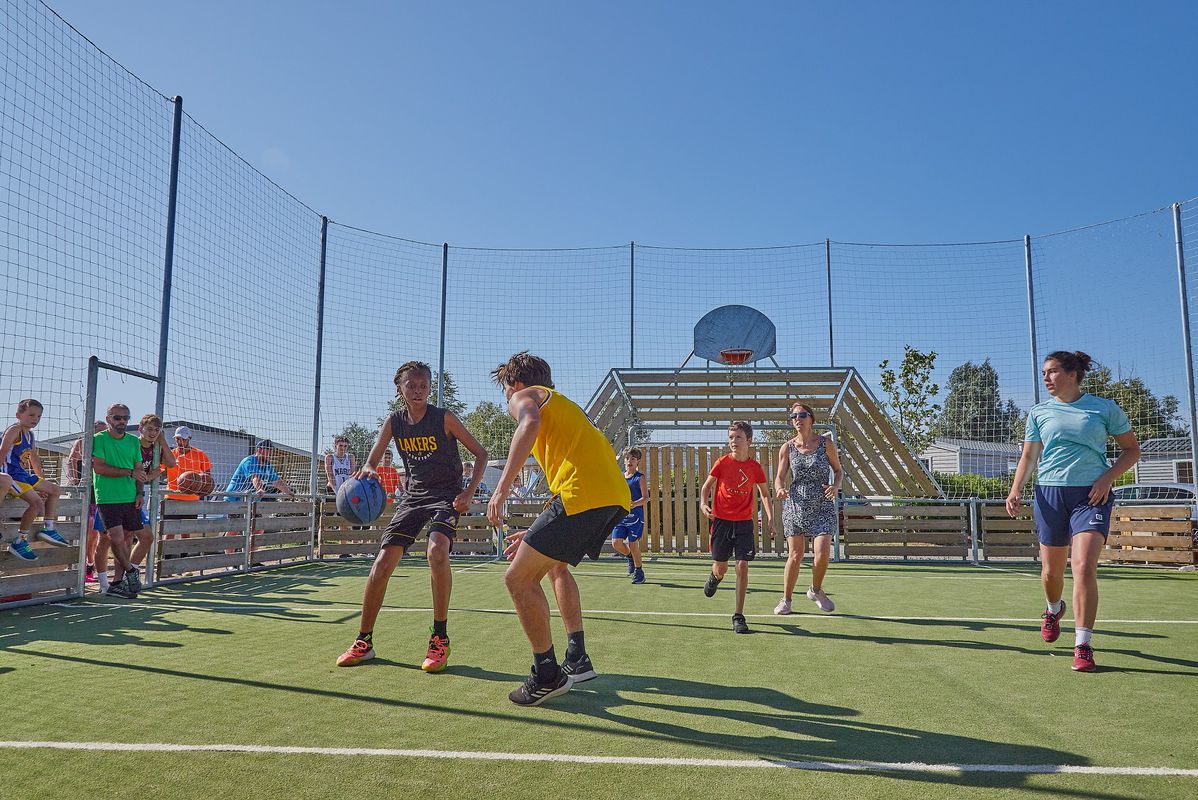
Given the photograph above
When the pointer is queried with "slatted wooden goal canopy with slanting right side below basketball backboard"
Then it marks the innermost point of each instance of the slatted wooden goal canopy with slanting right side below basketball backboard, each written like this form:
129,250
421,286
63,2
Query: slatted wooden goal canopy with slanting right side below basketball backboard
876,458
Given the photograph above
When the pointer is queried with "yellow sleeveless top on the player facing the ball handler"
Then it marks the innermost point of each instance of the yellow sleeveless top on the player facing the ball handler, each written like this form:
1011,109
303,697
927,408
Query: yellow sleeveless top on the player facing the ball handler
578,462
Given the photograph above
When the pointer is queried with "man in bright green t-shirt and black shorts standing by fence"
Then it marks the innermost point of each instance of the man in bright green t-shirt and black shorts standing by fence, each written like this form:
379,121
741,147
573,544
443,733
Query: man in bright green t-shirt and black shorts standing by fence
116,462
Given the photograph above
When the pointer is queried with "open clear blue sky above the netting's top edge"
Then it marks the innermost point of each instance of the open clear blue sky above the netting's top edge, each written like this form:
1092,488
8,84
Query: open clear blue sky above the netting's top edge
704,125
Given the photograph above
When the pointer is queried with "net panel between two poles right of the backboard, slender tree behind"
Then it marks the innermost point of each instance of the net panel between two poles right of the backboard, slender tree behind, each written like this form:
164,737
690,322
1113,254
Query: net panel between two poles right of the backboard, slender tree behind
951,326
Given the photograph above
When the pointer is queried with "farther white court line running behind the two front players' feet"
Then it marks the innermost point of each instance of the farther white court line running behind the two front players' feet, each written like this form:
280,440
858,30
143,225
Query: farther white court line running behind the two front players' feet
341,608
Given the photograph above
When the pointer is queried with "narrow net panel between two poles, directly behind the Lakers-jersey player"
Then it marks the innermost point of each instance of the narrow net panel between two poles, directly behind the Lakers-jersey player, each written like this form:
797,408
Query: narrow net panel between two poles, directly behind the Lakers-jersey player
383,308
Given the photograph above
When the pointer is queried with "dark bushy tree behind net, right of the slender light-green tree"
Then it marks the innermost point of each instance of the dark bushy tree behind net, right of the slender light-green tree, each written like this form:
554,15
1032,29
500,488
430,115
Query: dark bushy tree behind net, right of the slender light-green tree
975,408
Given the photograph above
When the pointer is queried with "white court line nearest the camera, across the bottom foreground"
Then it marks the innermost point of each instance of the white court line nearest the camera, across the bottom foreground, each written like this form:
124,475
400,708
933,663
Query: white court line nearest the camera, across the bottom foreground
639,761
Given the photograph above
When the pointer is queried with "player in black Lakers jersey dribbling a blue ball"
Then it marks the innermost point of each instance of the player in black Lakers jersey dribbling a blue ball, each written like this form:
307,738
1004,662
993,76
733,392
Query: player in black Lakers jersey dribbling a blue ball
427,439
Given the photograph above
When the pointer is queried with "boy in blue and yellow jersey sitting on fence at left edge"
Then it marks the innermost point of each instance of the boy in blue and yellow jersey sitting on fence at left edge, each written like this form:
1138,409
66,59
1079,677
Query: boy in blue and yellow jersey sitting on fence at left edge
19,453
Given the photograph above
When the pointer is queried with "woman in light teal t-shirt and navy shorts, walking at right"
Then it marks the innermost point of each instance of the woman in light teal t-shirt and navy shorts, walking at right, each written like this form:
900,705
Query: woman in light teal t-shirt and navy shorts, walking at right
1067,441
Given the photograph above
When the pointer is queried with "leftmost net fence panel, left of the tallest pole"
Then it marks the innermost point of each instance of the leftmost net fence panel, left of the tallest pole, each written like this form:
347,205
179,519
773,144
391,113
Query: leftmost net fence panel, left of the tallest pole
84,163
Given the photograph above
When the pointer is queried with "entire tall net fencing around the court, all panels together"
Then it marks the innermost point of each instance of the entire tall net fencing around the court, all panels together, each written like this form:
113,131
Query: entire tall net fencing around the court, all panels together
84,187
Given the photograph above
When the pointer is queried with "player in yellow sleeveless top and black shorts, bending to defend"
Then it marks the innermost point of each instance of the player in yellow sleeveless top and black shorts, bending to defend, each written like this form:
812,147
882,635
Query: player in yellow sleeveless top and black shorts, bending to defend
590,496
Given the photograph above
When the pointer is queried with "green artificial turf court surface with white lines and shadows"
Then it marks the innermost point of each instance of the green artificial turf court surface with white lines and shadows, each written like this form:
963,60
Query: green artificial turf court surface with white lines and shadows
929,681
